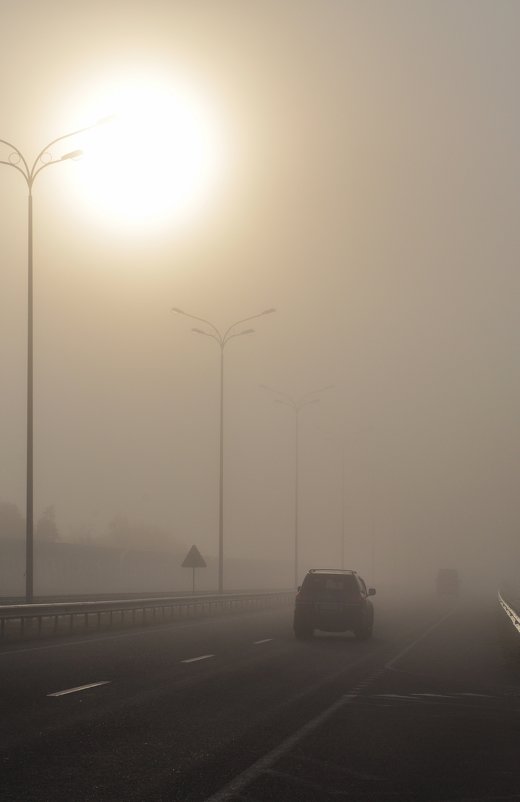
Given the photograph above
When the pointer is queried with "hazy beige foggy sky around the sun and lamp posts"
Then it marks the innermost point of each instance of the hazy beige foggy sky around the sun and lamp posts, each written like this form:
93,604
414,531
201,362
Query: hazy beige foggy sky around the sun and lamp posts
369,192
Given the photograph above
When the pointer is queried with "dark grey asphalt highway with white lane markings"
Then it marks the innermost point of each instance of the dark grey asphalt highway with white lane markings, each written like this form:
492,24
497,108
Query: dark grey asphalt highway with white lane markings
233,708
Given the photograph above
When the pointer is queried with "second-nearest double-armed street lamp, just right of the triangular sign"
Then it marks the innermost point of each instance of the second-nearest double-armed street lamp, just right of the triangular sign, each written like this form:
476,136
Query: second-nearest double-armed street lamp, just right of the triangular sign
222,340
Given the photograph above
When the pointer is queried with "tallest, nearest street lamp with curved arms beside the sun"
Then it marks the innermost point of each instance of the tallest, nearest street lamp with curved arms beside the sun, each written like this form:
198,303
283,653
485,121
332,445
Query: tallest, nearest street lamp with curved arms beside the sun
17,161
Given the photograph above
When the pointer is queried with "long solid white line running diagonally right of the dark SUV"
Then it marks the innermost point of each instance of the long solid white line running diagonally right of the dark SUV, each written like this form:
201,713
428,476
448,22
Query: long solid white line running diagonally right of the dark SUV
238,783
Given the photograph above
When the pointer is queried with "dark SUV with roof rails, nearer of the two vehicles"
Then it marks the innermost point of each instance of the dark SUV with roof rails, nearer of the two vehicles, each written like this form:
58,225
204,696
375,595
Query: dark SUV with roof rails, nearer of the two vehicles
333,600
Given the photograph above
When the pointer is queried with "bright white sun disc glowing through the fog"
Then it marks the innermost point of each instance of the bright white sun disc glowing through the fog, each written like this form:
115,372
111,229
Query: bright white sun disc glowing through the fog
159,158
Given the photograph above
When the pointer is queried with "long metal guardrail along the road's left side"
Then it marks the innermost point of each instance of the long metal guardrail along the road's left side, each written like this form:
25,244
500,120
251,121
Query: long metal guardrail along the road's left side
37,620
